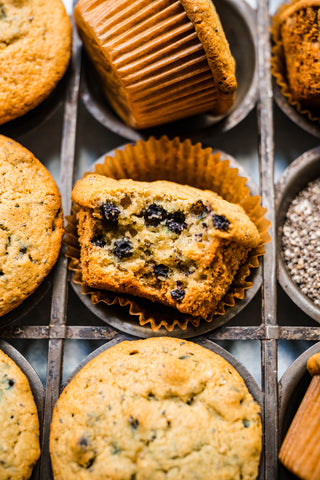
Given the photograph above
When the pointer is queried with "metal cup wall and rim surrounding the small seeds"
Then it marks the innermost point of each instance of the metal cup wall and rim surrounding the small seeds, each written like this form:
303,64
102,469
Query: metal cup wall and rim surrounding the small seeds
294,179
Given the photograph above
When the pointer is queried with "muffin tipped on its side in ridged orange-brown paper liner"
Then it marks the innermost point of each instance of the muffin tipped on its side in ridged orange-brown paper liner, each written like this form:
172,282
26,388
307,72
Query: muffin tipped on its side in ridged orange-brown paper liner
159,62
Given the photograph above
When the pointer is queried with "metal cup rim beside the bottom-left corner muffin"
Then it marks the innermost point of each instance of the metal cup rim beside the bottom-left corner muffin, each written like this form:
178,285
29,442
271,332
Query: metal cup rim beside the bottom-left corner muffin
35,385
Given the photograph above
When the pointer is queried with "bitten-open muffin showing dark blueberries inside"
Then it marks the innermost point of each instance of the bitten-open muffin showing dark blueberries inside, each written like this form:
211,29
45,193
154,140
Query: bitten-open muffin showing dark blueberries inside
174,244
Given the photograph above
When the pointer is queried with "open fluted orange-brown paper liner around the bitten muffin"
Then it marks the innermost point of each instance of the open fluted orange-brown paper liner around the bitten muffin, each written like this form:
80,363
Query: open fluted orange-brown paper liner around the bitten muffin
183,163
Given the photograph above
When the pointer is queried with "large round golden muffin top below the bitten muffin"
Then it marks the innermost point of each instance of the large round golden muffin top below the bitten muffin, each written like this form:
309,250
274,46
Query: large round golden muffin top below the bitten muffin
155,409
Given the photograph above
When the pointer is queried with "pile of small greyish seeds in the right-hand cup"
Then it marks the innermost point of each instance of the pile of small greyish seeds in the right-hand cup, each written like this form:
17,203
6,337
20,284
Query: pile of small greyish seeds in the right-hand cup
301,240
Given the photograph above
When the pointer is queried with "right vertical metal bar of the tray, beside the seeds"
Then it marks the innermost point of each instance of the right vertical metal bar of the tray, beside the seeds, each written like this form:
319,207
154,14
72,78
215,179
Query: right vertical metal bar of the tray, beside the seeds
269,291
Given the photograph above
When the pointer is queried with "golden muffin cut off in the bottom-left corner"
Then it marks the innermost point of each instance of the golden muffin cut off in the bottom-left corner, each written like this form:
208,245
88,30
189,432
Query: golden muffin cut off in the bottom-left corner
19,433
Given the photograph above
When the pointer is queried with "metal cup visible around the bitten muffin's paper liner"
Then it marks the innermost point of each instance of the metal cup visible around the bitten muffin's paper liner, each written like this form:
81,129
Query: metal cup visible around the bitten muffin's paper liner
119,318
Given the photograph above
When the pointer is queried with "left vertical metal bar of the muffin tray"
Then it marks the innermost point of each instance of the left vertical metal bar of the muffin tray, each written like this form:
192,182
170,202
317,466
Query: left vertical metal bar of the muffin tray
60,282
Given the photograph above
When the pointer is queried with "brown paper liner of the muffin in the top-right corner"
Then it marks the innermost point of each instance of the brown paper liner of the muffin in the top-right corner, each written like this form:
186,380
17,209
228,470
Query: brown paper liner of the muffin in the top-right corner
278,64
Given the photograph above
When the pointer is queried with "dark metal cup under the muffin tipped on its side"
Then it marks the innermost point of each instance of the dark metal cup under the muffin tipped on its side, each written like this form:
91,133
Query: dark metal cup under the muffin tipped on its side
238,20
